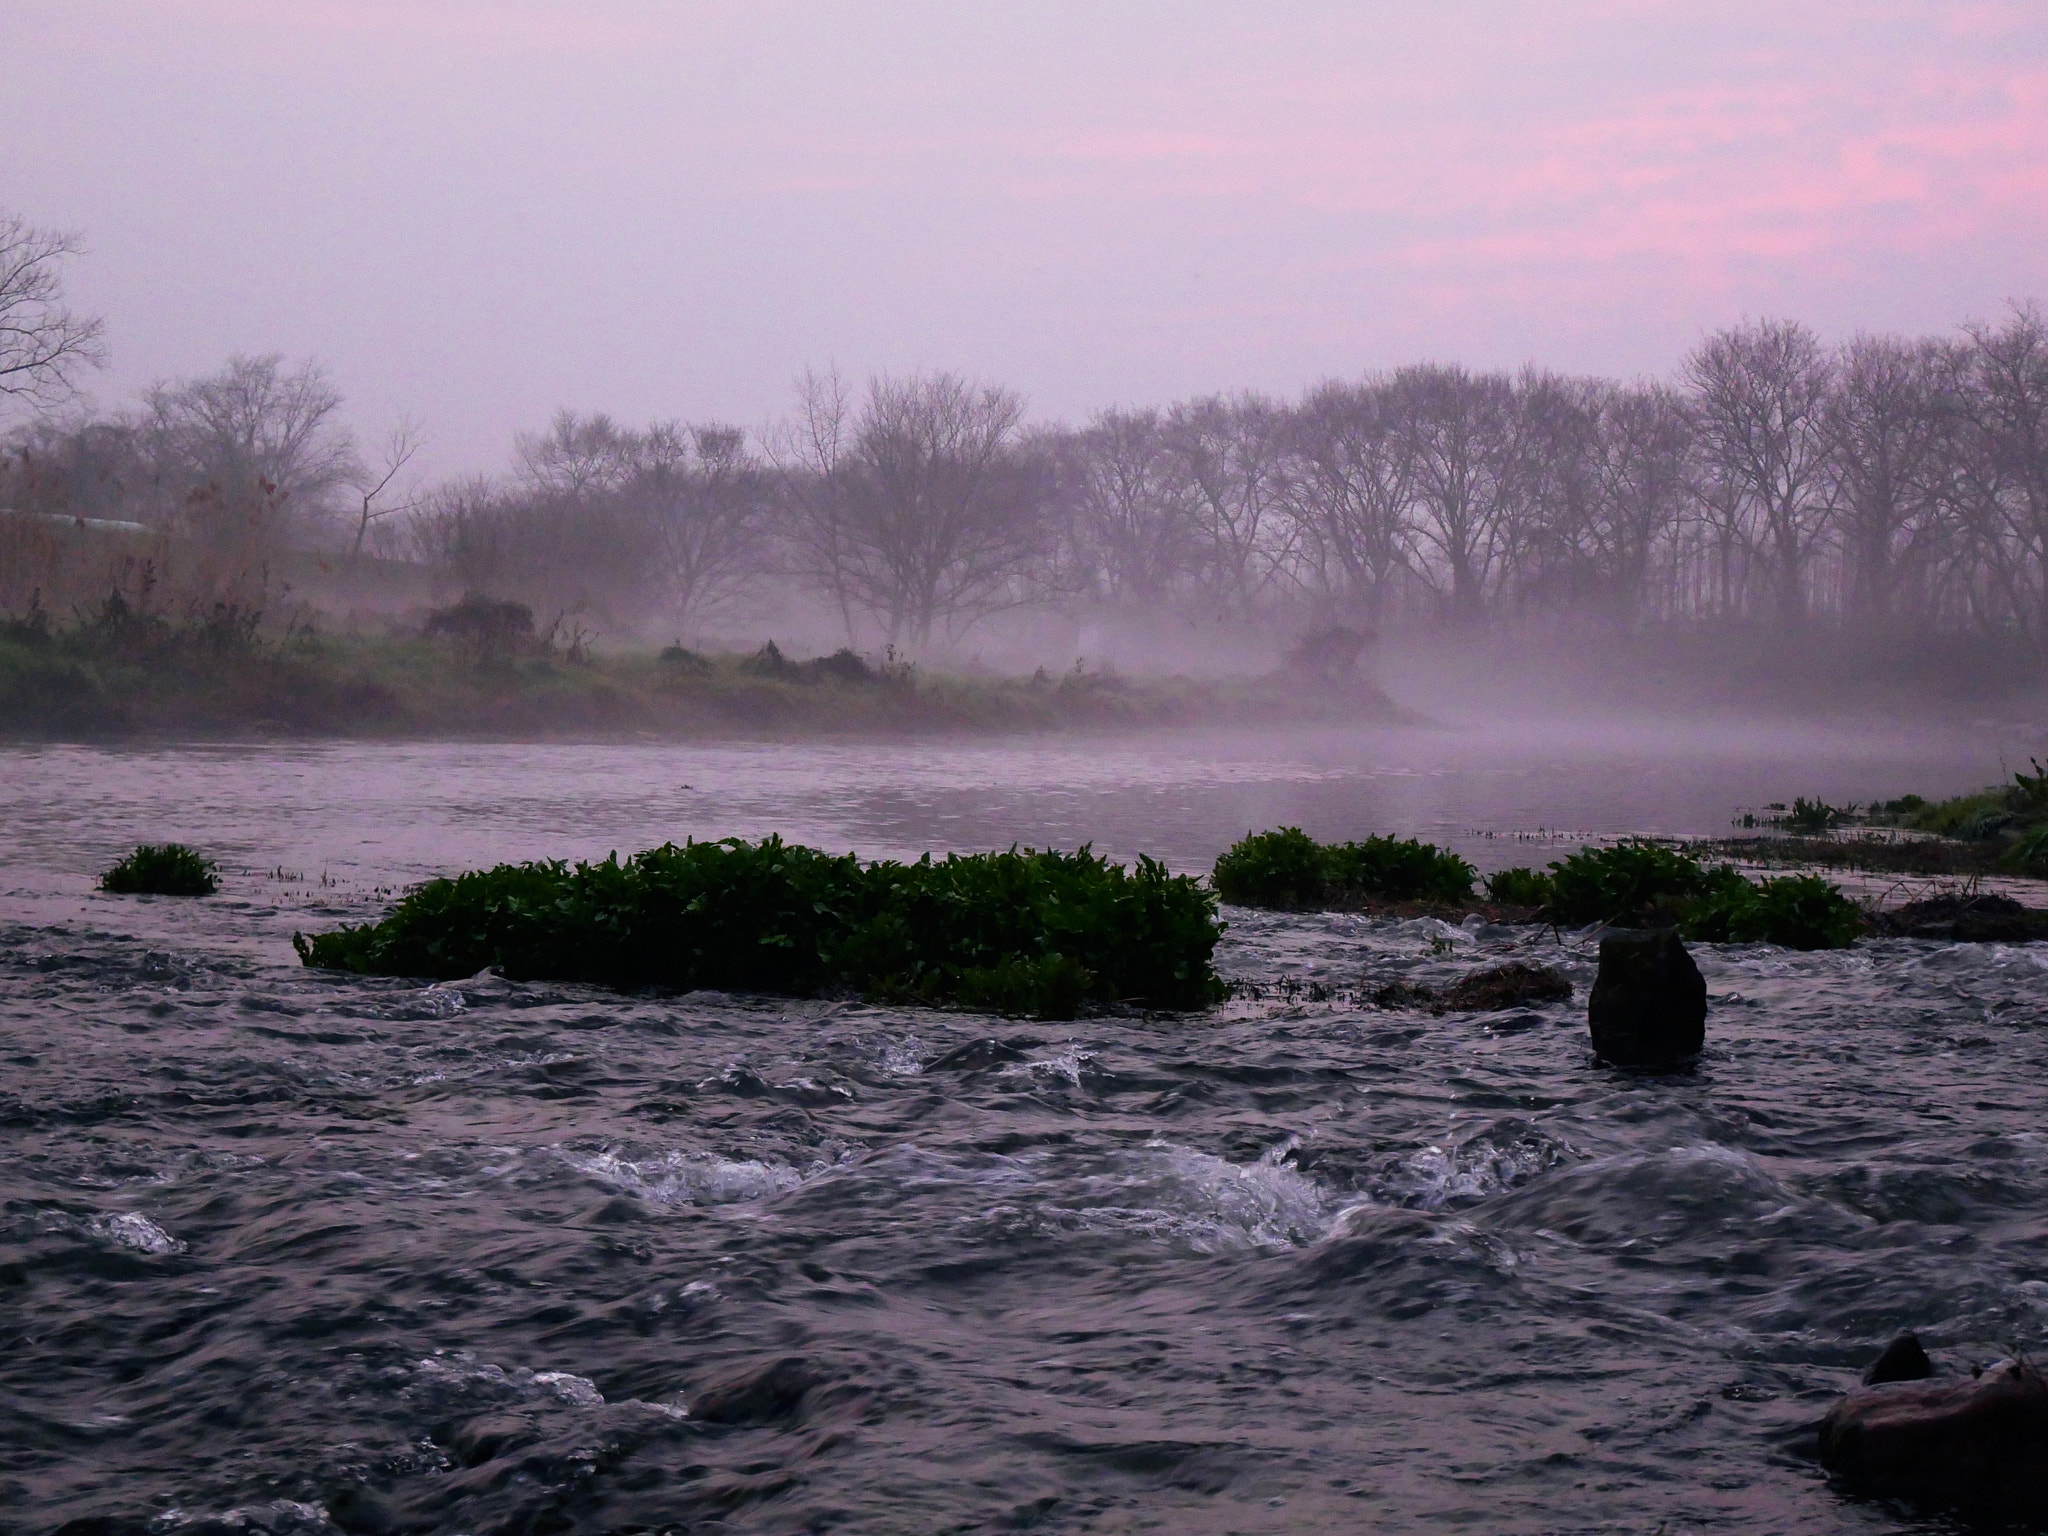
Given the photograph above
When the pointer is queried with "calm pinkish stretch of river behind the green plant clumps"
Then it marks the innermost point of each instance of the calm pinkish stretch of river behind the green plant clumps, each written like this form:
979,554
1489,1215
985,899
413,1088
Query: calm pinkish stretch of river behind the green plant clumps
388,814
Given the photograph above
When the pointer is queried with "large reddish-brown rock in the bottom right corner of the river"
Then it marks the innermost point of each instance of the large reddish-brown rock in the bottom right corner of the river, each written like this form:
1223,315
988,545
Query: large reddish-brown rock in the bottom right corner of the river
1979,1443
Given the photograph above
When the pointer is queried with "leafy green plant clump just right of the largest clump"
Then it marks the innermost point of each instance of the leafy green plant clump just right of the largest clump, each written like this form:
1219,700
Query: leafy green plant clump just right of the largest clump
1289,869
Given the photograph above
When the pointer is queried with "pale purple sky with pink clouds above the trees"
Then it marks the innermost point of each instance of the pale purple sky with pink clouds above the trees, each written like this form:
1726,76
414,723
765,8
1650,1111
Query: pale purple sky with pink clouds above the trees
482,212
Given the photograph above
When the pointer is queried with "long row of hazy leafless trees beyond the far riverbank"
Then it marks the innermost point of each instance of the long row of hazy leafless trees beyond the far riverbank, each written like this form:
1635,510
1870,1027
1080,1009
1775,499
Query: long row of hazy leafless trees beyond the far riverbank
1887,486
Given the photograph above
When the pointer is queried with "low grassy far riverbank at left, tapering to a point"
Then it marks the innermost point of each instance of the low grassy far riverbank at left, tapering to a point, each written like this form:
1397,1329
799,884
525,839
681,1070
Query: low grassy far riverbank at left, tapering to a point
126,673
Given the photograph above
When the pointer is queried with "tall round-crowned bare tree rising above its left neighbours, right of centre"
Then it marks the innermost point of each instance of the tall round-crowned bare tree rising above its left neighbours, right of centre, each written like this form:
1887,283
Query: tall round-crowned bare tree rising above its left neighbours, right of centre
1762,398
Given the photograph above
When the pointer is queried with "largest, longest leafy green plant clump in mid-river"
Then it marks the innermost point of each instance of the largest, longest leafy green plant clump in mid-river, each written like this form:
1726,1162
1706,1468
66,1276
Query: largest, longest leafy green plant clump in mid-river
1011,933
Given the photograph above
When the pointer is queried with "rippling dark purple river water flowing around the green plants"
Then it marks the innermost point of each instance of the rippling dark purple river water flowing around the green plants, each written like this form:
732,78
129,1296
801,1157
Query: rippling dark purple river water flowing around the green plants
288,1252
